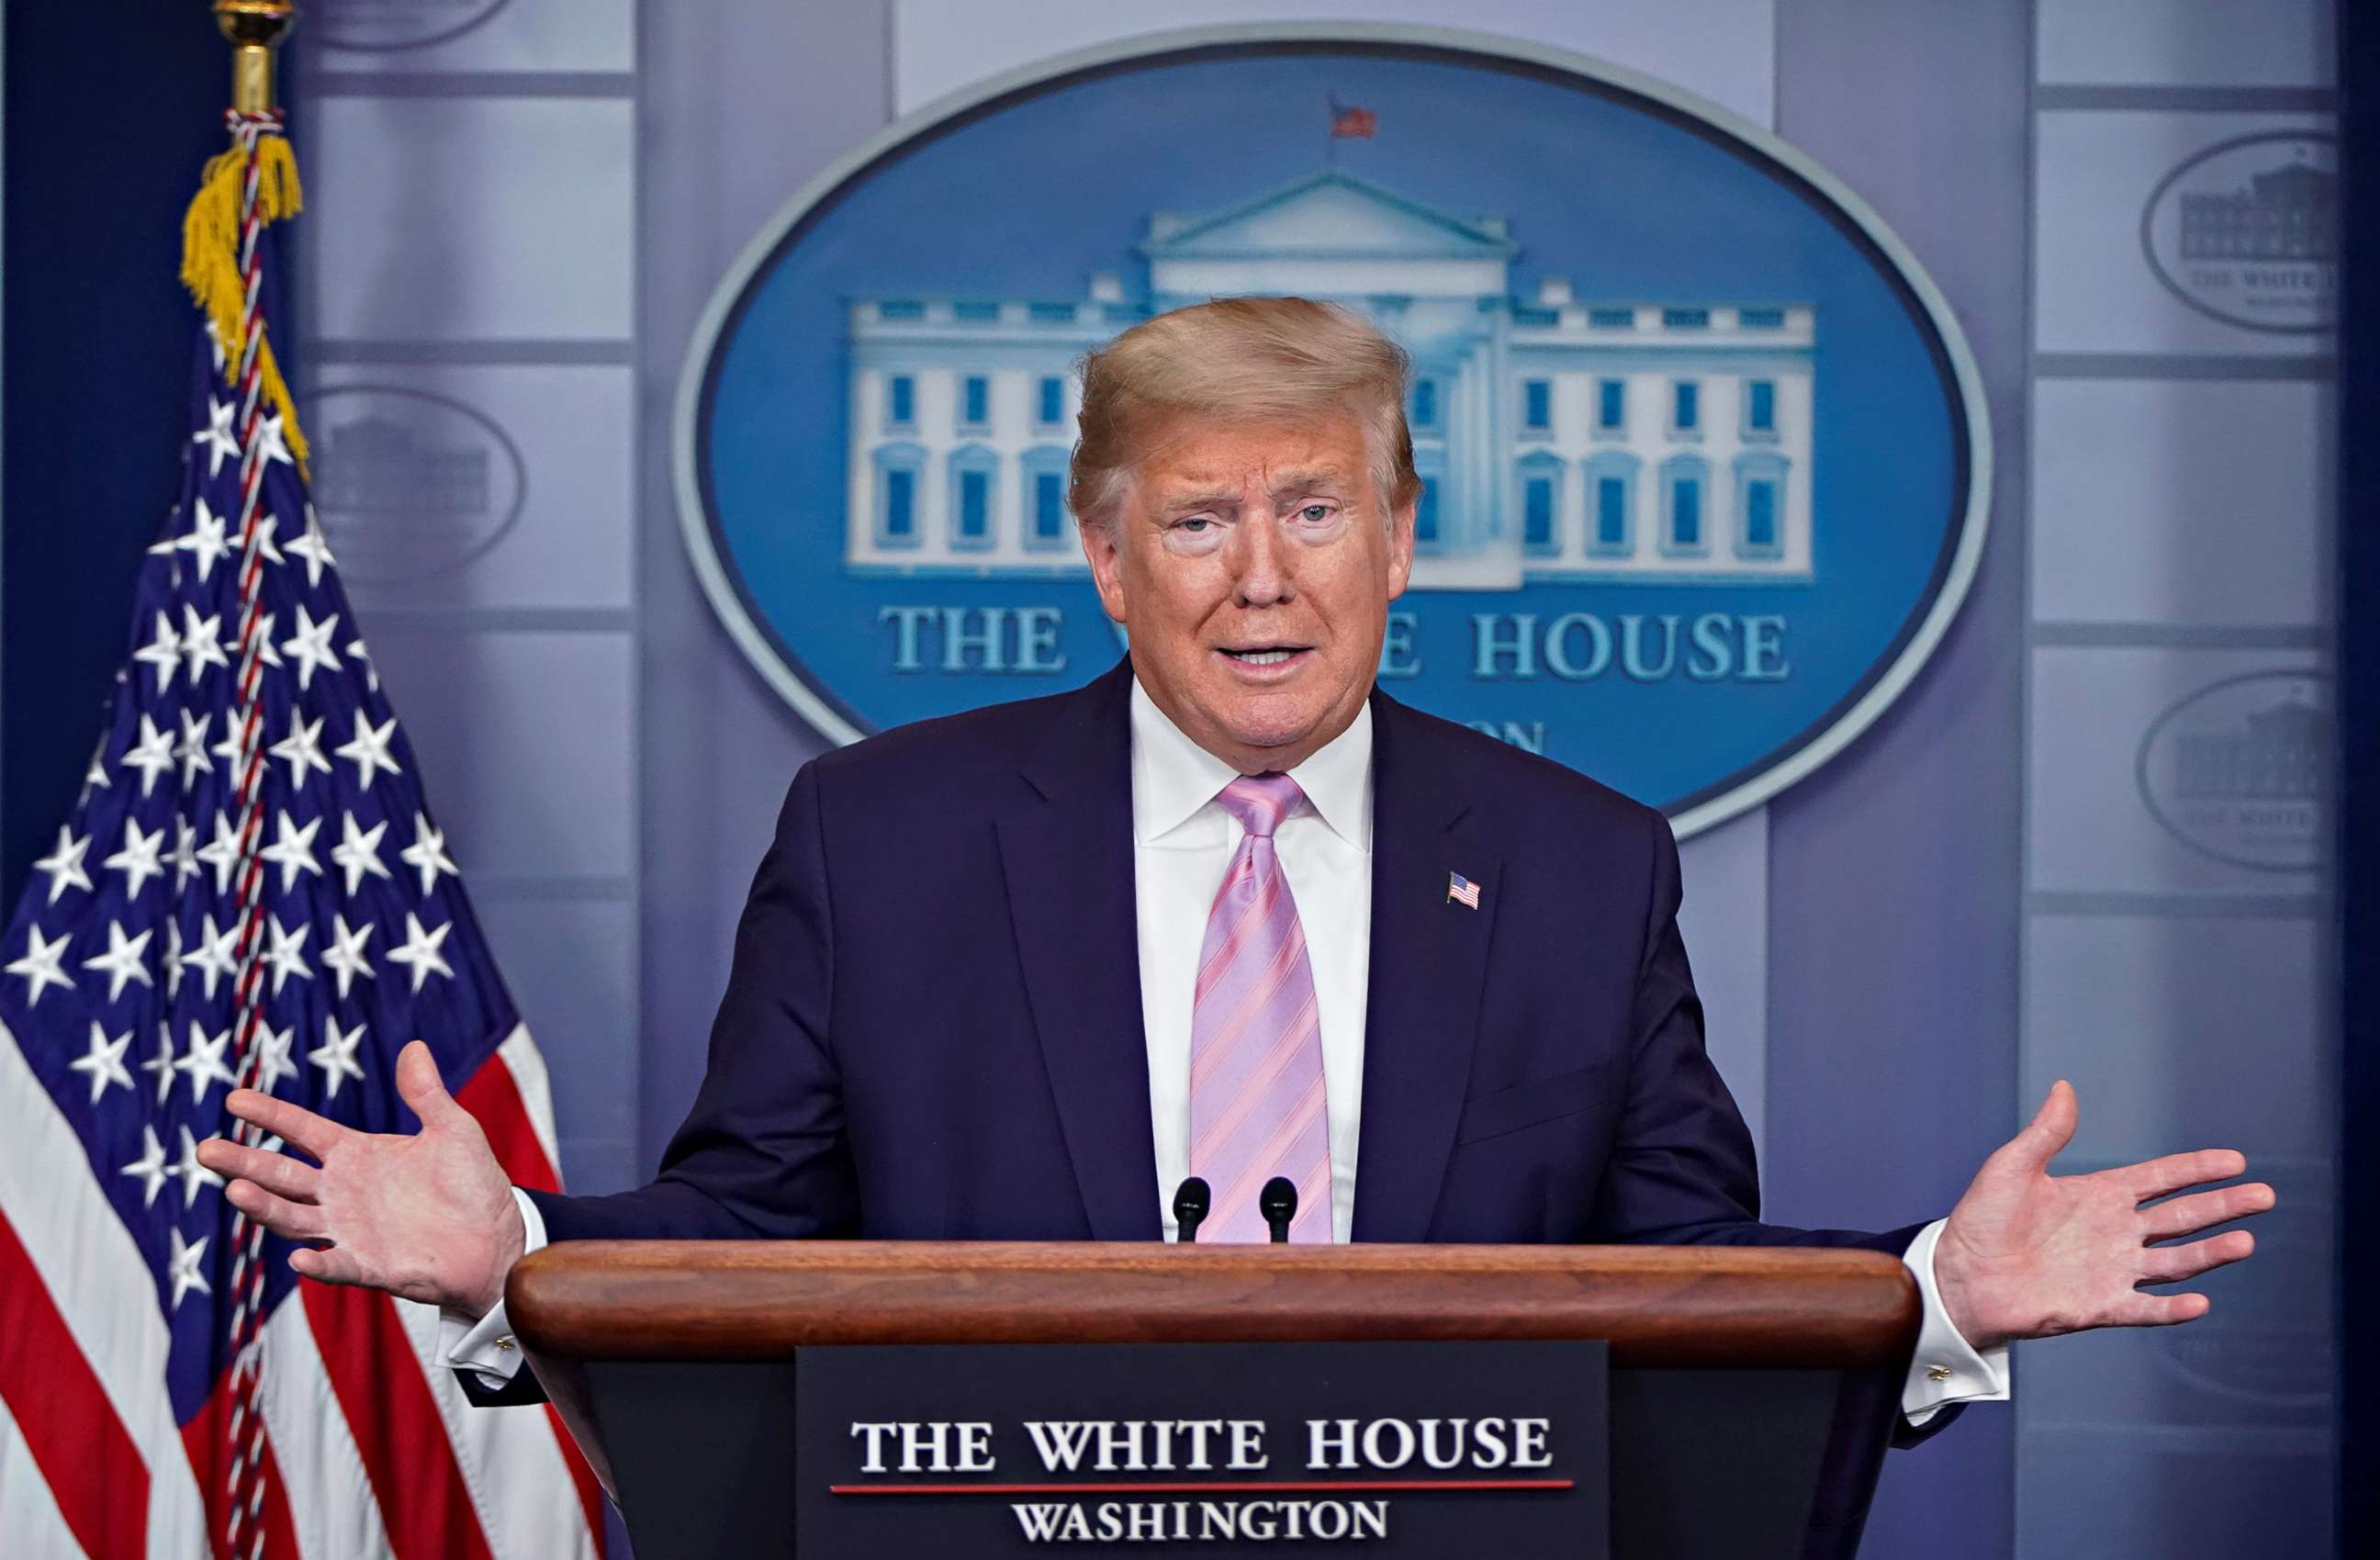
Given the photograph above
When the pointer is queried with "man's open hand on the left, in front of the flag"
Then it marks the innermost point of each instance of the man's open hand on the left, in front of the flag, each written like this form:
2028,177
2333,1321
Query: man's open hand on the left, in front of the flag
425,1218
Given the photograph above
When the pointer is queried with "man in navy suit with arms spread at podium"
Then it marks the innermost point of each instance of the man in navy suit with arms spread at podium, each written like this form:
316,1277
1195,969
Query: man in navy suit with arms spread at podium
1234,913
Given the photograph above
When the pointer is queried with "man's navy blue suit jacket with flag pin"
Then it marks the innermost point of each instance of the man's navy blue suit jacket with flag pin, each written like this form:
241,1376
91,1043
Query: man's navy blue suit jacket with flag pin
934,1018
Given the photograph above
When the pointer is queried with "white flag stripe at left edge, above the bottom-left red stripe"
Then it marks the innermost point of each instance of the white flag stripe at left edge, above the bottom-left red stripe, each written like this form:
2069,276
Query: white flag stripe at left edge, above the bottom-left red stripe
106,1290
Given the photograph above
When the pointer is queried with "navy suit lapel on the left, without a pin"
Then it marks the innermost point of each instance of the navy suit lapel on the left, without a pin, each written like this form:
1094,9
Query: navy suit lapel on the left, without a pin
1070,875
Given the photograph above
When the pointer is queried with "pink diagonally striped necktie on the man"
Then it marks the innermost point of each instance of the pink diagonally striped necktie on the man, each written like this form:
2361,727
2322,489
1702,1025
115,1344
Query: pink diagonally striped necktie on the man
1255,1037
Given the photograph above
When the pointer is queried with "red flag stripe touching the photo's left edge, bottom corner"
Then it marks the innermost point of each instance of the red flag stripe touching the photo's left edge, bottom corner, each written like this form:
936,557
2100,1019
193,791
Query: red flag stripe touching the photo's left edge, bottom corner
84,1456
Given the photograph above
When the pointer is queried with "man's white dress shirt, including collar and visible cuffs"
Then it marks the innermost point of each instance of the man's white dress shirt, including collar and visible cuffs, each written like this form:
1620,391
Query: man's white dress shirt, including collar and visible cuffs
1182,847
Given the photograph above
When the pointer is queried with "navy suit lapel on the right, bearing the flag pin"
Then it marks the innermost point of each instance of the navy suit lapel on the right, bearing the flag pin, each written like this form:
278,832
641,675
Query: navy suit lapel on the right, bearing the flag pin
1429,961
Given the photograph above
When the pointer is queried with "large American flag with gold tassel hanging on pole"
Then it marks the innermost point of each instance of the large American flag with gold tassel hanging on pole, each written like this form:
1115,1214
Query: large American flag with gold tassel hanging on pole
251,890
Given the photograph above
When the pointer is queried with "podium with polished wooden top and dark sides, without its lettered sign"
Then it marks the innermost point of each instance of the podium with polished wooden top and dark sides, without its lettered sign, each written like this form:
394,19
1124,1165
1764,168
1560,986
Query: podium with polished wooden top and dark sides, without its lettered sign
1746,1383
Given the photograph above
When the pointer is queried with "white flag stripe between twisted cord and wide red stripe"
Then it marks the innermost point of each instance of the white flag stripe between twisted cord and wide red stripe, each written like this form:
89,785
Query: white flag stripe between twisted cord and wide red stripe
330,1497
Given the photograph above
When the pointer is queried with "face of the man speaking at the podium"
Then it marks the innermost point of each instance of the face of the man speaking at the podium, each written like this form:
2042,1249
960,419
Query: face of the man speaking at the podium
1253,568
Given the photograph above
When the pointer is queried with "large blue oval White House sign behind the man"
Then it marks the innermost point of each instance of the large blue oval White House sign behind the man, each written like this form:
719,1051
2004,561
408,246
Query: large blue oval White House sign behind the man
1705,458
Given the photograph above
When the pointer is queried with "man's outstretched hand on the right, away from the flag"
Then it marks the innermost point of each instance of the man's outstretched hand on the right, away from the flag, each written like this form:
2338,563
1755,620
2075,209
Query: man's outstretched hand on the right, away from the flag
2031,1256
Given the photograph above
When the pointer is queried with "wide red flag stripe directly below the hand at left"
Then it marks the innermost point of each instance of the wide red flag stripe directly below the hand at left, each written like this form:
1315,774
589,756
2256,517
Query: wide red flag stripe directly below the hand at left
396,1425
